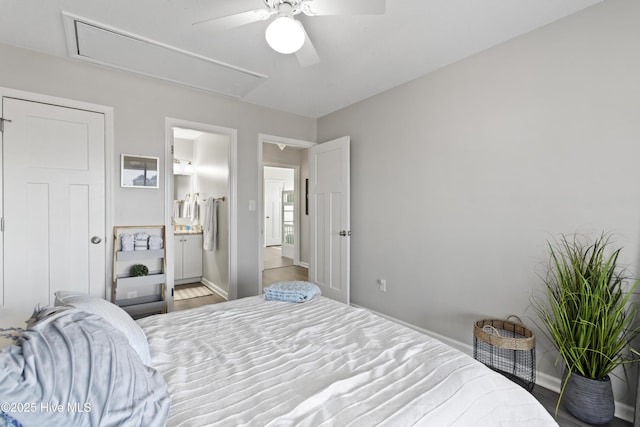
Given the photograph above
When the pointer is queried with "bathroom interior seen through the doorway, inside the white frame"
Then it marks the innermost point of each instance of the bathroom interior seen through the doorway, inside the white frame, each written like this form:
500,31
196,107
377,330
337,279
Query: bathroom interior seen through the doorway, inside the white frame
201,220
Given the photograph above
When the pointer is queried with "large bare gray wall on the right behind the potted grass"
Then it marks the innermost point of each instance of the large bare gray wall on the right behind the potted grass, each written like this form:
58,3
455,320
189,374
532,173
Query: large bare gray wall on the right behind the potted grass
460,177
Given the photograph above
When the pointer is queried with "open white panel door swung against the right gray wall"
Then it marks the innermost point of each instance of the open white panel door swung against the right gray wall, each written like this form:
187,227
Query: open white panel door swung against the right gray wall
329,215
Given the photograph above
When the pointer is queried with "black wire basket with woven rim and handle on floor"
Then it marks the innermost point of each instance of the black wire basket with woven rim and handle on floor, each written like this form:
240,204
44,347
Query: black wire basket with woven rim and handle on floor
508,348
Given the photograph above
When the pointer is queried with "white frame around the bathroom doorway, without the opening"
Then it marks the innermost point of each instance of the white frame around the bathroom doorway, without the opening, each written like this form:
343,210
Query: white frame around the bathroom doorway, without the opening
170,123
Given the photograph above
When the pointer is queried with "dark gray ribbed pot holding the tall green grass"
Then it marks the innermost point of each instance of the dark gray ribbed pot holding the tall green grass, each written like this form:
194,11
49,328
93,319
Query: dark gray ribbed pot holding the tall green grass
589,400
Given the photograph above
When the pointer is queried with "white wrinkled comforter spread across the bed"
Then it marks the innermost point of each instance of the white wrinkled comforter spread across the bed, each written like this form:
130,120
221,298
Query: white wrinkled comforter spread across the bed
322,363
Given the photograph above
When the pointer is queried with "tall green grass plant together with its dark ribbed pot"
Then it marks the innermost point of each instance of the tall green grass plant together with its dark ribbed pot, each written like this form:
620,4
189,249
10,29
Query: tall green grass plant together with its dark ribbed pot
589,316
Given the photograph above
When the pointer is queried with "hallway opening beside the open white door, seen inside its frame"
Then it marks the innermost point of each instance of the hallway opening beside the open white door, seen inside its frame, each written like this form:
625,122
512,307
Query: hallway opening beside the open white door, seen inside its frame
284,238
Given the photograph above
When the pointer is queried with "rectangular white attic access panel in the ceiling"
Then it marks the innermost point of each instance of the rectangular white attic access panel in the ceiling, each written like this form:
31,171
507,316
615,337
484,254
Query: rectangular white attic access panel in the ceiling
98,43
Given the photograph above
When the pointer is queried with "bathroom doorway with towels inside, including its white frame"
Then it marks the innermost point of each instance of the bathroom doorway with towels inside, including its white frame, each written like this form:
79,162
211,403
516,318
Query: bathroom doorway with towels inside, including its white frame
201,239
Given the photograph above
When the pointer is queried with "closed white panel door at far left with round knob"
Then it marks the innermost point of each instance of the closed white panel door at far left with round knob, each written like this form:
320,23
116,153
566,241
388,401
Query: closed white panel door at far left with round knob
54,202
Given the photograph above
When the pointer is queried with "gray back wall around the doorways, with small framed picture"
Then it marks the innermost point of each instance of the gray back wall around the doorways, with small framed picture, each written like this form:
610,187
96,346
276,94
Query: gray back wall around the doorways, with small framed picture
140,107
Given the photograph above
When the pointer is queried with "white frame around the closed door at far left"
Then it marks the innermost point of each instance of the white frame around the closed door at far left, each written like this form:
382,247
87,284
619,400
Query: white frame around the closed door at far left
108,171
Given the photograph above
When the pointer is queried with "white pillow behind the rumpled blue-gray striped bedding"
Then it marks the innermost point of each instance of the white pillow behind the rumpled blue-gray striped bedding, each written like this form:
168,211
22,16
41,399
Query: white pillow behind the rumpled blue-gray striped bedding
112,314
